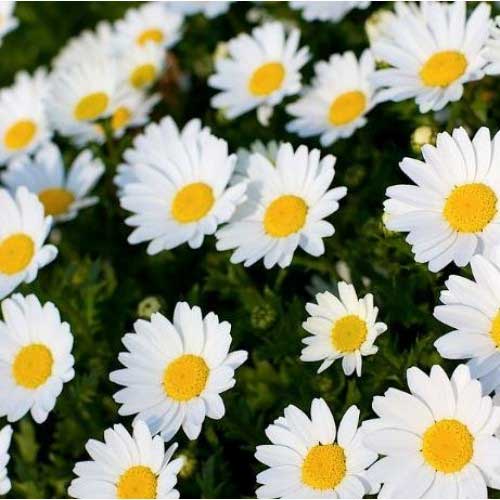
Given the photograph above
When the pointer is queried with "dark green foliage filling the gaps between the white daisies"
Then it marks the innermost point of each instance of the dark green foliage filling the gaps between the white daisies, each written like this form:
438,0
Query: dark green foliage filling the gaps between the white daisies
98,281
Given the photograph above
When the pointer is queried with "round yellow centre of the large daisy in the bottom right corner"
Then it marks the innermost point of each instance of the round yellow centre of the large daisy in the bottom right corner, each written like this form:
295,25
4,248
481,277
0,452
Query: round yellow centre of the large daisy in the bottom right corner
447,446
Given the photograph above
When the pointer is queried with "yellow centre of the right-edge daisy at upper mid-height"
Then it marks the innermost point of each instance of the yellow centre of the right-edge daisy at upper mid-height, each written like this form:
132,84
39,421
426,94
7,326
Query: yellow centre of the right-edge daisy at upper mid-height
470,207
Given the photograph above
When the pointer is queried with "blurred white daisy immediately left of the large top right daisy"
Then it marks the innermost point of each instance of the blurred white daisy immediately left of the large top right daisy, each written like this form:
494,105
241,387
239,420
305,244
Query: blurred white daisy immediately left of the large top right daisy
338,101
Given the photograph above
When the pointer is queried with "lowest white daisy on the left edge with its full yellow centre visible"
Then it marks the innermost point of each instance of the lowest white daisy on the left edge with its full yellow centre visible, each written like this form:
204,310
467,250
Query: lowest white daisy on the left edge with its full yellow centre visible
35,357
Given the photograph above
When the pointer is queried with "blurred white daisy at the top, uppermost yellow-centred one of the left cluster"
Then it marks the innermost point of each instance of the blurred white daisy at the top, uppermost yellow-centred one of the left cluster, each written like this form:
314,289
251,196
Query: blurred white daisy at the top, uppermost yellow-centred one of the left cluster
151,22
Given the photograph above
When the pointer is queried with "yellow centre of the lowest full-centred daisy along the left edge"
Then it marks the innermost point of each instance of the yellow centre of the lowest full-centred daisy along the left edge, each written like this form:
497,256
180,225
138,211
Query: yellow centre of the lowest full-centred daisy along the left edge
32,366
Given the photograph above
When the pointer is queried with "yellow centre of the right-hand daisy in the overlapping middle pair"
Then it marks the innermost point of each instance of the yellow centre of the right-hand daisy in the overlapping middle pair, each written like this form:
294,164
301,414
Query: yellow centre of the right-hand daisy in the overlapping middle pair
285,215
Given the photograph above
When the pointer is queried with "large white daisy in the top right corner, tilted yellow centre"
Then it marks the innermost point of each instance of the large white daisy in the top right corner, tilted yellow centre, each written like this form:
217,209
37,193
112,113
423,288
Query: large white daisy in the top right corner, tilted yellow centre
434,49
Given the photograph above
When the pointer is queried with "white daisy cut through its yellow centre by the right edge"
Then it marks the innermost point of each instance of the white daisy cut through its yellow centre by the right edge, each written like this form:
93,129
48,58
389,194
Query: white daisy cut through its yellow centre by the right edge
472,309
